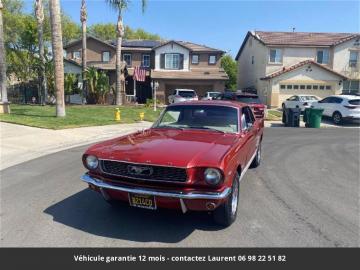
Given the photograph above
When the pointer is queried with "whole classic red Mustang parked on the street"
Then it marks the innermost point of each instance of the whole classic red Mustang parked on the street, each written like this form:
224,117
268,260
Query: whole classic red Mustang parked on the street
192,158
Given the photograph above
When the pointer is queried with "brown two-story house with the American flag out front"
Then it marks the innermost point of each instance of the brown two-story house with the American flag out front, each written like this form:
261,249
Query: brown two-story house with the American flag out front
173,64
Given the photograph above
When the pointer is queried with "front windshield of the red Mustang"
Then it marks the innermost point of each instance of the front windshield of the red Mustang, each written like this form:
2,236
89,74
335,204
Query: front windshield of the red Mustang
215,118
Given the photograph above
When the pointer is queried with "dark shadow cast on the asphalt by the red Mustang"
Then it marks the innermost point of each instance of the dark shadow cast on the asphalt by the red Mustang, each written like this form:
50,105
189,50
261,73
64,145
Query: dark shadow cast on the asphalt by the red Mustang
88,212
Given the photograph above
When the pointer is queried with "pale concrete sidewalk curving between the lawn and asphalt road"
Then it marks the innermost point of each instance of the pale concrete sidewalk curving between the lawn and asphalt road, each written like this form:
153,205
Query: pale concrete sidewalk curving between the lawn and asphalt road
21,143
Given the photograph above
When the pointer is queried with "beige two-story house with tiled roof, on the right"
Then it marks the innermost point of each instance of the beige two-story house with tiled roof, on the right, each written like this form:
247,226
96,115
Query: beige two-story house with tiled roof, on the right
281,64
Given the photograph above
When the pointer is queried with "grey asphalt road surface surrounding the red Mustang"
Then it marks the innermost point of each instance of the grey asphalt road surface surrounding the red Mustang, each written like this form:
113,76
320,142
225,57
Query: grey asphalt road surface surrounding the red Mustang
305,193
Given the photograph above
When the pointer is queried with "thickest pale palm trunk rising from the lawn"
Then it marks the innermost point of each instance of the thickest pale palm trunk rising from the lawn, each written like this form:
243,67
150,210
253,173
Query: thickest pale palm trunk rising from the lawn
57,49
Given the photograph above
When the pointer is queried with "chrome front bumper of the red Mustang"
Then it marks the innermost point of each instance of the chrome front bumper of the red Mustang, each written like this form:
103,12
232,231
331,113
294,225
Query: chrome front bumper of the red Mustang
146,191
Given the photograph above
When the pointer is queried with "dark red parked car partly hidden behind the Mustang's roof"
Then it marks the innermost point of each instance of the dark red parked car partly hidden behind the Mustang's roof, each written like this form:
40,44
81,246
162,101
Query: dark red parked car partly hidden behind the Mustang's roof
252,99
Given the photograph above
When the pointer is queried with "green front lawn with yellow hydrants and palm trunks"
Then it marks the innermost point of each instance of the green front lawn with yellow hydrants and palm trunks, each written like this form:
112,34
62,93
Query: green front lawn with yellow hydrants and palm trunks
76,115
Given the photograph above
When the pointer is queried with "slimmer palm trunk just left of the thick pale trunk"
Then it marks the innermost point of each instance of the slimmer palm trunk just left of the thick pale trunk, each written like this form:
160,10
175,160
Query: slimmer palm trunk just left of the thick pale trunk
39,13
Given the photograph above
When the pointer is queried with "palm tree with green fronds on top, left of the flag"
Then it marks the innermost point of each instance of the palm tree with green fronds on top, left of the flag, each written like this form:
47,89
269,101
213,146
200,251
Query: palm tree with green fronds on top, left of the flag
120,6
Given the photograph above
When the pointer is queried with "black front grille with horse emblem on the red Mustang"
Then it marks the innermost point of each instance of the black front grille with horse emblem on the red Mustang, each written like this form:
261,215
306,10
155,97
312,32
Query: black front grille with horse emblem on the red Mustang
150,172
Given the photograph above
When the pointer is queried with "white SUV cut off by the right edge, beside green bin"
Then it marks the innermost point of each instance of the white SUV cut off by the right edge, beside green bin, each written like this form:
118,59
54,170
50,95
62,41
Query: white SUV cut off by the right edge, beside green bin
340,107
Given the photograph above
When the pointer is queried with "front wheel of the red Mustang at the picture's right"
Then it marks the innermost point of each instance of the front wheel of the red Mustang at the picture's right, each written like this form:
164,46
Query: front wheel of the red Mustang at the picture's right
226,213
